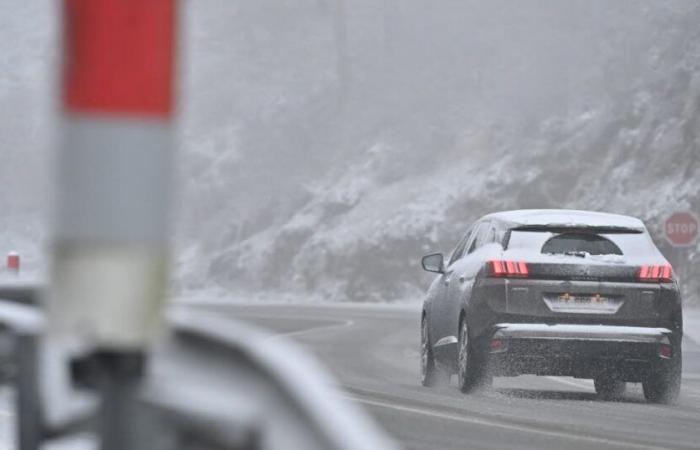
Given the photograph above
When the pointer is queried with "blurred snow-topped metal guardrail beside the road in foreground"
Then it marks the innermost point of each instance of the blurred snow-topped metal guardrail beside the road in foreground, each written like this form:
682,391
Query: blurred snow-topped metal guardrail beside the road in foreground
209,383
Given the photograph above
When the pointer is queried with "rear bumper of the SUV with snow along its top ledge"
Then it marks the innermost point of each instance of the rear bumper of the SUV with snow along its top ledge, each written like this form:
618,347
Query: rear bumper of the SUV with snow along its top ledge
583,351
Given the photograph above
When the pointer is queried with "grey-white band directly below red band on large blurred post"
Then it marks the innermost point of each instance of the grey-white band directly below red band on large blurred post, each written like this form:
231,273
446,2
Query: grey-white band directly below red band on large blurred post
115,178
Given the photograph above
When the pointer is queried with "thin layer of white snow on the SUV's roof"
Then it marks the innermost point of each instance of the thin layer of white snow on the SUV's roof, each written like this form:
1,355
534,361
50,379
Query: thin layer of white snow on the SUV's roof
567,218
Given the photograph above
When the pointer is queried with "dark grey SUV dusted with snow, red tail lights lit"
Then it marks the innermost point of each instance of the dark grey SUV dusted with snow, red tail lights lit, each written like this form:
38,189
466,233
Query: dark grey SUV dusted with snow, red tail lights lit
559,293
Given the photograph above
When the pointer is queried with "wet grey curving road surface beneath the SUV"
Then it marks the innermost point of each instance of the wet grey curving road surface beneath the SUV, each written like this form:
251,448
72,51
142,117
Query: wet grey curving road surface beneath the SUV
373,352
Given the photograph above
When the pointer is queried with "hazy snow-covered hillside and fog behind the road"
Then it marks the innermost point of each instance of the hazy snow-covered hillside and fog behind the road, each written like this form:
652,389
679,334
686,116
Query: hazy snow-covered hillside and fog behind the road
325,145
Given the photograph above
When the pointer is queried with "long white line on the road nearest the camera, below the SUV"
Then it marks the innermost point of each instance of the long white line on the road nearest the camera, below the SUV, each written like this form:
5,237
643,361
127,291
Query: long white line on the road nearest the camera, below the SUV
507,426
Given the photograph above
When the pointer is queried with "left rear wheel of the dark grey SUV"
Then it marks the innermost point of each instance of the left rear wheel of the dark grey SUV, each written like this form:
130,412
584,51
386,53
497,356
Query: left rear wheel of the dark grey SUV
472,370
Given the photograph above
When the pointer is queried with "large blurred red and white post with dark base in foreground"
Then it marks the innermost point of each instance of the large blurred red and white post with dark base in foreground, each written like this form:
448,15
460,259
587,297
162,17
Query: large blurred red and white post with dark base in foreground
110,241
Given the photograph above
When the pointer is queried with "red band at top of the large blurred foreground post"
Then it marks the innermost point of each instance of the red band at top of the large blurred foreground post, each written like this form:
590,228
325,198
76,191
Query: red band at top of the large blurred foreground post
119,56
